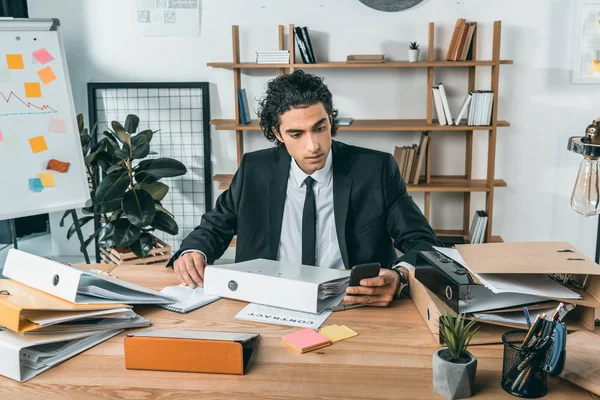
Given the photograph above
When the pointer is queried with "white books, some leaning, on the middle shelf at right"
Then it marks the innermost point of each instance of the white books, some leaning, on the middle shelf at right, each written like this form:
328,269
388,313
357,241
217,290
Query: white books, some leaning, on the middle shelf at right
478,103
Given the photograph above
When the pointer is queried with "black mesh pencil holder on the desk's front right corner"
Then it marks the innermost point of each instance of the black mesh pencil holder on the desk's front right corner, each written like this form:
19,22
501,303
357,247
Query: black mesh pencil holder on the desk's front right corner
523,372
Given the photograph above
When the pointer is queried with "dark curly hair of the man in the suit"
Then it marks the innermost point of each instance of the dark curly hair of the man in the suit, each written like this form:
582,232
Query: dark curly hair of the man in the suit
286,92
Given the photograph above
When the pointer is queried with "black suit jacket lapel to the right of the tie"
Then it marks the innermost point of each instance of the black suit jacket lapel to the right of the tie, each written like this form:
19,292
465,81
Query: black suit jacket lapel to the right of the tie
342,186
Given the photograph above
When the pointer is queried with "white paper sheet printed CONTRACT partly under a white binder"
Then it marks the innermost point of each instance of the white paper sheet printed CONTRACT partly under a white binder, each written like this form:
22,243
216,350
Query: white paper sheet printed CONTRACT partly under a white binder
282,316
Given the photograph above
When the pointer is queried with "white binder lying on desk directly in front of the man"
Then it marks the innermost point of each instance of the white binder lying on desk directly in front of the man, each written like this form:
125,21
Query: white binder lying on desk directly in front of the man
279,284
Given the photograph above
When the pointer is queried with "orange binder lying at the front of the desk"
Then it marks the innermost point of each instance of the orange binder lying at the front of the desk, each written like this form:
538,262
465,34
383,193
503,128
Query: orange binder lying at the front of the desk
190,351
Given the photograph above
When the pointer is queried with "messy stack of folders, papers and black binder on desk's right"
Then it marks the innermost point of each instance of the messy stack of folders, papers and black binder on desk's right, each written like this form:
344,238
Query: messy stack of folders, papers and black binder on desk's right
506,285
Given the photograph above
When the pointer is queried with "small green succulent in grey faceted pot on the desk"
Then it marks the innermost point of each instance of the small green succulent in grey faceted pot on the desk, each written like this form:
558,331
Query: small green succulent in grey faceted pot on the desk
454,367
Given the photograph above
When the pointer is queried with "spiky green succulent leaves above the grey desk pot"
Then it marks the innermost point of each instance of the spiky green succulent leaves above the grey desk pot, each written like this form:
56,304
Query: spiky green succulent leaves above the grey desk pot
456,333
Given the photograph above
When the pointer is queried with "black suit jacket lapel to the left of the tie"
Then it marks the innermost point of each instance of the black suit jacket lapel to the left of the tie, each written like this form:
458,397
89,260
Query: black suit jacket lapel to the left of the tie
276,201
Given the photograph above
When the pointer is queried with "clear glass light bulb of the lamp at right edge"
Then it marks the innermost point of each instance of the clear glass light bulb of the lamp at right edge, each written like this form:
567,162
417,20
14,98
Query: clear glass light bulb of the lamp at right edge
586,193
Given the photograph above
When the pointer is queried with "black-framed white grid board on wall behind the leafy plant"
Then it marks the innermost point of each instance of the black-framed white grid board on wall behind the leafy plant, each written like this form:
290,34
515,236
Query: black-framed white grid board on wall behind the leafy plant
180,112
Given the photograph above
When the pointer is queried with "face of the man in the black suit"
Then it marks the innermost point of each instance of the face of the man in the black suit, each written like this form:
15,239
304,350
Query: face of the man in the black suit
306,133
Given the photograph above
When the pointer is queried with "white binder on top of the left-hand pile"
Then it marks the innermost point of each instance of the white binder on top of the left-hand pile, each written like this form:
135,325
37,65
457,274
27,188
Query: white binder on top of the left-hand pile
76,285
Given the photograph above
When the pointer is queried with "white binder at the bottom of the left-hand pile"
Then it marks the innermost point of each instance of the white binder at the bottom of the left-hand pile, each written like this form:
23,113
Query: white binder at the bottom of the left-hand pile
21,361
